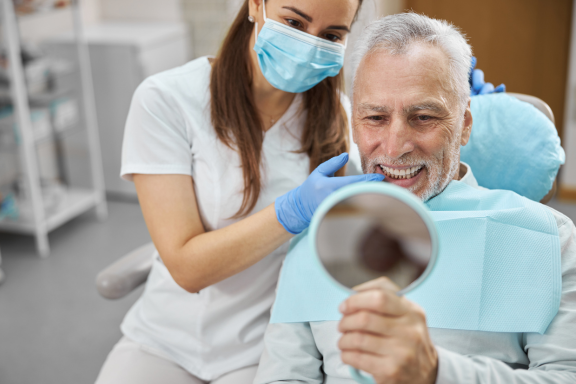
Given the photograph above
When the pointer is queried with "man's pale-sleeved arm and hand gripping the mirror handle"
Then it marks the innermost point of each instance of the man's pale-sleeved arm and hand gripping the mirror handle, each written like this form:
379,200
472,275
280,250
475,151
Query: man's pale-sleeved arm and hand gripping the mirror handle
552,355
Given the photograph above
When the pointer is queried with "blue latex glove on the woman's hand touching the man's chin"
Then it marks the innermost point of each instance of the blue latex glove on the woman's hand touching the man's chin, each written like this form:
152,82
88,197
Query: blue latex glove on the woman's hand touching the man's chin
294,209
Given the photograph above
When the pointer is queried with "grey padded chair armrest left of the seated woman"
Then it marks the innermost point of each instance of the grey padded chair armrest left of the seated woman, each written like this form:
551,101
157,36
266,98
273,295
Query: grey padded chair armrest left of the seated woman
126,274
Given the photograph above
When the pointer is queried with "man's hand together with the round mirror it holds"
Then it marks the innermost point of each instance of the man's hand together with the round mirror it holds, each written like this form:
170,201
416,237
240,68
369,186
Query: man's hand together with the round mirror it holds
380,243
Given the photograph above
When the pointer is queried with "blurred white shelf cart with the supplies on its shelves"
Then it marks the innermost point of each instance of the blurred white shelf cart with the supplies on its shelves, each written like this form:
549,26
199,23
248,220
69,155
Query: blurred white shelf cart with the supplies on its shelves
35,108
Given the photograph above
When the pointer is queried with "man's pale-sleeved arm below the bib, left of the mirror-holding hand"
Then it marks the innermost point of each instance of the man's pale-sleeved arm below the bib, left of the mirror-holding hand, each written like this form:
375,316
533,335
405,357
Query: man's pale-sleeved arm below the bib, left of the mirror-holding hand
290,356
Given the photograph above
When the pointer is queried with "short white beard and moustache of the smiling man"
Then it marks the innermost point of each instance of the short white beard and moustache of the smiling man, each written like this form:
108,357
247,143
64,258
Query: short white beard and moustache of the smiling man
438,177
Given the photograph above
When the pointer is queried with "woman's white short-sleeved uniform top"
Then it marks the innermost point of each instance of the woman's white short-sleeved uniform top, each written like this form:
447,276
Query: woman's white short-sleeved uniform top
169,131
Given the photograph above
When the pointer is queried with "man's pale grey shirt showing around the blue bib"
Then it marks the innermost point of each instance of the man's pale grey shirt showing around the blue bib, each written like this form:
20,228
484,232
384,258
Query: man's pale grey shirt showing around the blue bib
307,353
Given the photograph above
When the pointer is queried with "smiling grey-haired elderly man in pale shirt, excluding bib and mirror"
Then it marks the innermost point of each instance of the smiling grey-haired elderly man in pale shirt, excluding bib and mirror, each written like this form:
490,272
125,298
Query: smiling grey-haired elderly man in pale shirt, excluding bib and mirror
411,114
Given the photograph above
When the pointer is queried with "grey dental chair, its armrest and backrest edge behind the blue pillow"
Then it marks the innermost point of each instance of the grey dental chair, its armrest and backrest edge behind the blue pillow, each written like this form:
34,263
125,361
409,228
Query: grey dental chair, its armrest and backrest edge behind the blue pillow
128,273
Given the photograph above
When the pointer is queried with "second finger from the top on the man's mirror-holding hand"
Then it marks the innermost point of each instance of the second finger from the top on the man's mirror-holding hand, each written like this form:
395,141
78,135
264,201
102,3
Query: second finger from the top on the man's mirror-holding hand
364,321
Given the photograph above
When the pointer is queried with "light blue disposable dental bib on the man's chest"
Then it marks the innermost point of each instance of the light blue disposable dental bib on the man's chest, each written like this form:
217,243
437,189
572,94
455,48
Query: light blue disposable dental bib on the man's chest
498,267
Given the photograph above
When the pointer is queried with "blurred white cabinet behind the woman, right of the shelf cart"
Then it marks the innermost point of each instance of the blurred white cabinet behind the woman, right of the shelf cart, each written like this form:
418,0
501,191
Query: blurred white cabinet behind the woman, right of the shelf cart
122,54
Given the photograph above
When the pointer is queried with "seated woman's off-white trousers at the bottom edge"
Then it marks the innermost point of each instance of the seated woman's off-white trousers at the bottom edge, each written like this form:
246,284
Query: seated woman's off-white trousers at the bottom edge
131,363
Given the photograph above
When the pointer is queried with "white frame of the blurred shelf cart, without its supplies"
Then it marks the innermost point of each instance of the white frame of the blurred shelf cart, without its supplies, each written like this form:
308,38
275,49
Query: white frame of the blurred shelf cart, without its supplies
75,201
